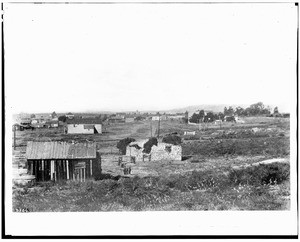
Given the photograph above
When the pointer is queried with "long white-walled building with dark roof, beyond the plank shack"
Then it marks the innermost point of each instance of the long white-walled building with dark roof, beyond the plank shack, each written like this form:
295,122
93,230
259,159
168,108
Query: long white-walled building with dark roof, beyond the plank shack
84,126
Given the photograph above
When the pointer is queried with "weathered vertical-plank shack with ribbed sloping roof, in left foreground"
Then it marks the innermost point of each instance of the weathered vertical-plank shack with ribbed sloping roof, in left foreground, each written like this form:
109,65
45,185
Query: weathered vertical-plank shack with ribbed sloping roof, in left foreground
62,160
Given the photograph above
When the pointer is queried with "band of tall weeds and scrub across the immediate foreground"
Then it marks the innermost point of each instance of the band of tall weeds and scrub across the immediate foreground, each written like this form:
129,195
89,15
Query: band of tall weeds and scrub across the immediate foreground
247,188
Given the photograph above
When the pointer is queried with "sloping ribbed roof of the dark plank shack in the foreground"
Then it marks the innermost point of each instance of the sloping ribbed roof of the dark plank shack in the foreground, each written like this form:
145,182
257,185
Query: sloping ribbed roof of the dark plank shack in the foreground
60,150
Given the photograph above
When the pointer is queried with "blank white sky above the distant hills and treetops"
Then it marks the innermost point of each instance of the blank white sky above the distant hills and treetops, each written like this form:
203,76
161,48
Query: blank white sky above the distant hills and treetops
77,57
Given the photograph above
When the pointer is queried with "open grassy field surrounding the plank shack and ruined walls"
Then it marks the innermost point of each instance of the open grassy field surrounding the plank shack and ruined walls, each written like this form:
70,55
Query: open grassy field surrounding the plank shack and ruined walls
204,180
